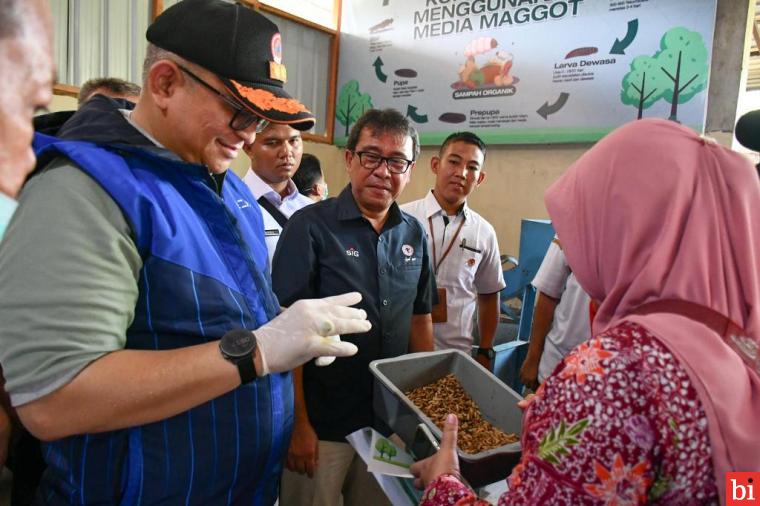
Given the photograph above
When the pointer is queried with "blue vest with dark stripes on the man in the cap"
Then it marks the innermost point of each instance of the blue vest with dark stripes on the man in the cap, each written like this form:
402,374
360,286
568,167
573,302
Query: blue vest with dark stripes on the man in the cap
204,272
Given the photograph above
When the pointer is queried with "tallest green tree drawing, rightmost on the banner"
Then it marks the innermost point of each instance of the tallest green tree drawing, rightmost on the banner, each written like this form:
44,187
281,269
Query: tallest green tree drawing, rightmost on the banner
683,59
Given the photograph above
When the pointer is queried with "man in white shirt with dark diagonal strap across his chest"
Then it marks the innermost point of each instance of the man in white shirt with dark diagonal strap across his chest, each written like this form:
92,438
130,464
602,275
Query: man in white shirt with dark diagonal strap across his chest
275,156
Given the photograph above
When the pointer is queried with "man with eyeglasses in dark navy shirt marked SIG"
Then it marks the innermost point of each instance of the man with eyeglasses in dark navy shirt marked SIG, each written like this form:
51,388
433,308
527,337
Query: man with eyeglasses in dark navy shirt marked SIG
360,241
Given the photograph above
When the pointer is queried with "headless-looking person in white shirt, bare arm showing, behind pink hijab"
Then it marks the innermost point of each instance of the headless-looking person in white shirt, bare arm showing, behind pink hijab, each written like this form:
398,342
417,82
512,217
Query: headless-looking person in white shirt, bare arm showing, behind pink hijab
560,319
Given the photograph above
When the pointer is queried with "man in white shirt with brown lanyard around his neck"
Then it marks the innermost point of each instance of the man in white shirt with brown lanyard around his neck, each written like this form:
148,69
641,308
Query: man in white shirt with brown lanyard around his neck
464,248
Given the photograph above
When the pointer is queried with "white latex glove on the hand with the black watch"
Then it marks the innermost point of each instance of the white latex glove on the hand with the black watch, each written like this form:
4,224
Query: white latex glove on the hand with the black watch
310,328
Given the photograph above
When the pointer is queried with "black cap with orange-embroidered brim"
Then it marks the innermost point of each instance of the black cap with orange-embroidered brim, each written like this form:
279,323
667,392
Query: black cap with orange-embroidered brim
240,46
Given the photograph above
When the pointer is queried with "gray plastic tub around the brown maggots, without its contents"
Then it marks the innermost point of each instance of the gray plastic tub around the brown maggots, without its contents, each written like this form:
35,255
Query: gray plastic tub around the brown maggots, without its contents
497,403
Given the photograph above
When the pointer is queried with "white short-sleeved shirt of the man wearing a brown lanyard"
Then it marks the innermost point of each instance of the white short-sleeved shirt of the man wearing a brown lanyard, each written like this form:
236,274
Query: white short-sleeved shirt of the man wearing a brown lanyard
464,273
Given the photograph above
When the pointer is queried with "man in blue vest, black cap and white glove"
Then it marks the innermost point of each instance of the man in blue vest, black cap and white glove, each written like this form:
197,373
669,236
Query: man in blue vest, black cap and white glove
139,335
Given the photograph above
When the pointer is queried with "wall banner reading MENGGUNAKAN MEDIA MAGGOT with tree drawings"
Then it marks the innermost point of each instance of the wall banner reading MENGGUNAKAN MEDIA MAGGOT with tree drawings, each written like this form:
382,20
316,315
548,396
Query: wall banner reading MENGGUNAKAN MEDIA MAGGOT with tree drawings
525,71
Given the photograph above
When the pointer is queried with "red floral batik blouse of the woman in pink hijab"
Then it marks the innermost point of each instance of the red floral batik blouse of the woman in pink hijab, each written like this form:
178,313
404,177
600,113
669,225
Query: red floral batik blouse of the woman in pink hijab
617,423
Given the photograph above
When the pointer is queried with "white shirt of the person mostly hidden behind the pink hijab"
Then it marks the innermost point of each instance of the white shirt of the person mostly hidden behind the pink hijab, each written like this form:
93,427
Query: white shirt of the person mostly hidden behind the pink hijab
570,326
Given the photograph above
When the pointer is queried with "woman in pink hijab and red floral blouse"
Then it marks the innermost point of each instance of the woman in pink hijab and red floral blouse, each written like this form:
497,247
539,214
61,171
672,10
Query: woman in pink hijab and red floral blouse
662,228
